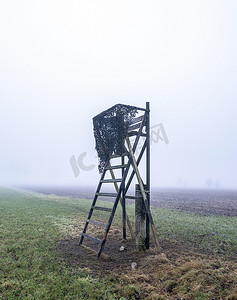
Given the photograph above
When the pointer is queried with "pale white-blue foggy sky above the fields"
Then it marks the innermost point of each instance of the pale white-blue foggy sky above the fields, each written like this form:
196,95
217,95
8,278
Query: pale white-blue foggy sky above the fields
63,62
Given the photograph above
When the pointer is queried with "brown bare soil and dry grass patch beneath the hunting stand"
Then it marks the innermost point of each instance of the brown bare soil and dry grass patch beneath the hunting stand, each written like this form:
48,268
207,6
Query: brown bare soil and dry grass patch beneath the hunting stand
178,272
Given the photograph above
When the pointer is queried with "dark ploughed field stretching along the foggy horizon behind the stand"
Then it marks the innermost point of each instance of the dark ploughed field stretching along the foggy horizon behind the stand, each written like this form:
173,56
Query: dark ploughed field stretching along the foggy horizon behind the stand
217,202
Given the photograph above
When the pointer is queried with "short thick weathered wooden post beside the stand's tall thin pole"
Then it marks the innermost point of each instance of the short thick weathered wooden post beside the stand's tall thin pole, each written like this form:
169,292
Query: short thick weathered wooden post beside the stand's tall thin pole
140,220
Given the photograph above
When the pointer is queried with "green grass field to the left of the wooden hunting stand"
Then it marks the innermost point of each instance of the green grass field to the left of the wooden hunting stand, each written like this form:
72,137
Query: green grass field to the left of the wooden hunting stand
30,266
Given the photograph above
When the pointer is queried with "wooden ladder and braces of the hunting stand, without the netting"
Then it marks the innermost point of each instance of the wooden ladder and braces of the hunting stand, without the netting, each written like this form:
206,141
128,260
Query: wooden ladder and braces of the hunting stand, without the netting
120,187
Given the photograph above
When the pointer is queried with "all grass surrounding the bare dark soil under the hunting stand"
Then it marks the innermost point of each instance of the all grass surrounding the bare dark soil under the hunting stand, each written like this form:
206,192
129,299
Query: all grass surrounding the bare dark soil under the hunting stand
31,267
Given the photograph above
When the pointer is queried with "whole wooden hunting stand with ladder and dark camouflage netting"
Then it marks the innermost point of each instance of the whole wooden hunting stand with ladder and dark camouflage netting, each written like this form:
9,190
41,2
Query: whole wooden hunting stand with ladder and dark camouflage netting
113,128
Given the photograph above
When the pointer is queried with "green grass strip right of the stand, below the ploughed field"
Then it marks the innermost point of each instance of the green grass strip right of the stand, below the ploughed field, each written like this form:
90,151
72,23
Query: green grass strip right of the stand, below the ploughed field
214,234
